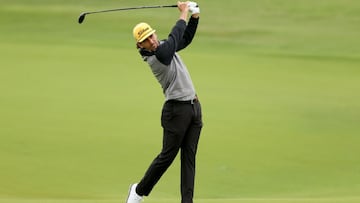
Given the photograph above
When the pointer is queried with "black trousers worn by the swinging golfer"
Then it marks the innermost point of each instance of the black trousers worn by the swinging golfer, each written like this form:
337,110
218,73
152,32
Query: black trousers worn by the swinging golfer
182,123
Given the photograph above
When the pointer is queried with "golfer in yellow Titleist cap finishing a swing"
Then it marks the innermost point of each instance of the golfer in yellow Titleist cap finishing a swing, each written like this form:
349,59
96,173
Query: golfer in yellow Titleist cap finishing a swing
181,117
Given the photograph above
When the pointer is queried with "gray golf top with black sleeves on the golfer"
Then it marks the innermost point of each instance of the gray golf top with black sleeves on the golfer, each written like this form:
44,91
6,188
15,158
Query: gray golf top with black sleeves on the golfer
168,67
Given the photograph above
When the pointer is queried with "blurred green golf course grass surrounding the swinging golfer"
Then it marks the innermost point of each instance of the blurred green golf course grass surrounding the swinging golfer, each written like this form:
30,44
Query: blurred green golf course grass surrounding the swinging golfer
278,81
